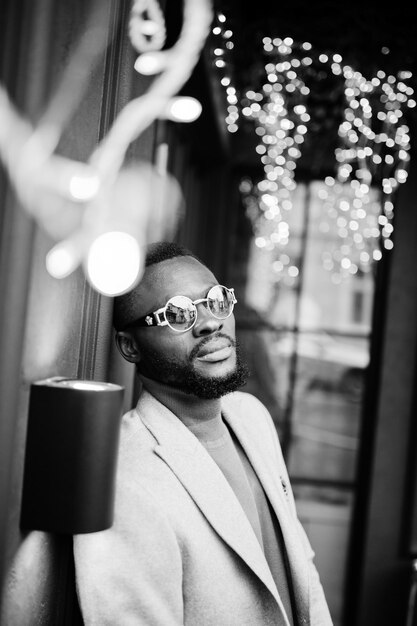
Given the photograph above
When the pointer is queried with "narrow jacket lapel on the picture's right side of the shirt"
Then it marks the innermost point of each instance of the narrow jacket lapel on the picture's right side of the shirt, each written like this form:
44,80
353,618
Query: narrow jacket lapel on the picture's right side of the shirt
268,474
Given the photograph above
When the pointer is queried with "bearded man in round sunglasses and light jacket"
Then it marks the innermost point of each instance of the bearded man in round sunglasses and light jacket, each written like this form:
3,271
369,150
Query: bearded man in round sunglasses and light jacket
205,529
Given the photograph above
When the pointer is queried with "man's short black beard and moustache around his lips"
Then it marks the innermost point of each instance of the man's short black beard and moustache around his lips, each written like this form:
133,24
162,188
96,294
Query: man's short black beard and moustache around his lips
183,375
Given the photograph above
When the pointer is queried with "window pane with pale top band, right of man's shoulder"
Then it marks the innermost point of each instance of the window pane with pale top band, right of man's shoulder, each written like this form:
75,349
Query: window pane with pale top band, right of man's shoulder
326,406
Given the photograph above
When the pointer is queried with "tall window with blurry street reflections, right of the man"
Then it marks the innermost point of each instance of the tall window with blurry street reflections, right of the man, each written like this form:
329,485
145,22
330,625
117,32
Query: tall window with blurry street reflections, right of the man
308,348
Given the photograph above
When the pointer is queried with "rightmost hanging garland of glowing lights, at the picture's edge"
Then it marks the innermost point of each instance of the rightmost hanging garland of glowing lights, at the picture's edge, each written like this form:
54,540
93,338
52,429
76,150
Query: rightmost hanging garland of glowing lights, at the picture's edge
373,156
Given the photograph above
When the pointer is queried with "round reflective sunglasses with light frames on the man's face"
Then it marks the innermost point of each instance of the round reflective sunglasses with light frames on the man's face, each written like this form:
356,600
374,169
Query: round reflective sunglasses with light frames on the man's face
180,312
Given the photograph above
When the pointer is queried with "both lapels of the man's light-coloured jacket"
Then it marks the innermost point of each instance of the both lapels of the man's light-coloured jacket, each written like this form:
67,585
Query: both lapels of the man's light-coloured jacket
211,492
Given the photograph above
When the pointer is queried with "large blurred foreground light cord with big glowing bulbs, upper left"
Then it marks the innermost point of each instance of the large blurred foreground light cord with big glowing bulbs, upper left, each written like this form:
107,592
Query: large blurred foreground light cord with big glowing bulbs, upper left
102,212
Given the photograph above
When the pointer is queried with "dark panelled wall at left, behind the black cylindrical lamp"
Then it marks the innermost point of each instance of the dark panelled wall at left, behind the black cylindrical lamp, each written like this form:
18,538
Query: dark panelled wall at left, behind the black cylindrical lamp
49,327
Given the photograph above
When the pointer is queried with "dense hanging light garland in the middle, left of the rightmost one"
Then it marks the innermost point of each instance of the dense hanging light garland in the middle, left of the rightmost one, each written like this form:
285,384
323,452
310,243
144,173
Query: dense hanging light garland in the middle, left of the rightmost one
281,123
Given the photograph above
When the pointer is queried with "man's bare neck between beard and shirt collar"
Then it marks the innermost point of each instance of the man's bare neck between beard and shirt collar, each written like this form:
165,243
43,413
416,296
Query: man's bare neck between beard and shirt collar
190,409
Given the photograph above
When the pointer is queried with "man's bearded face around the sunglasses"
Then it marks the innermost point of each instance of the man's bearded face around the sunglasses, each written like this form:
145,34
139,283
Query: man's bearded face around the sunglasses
202,361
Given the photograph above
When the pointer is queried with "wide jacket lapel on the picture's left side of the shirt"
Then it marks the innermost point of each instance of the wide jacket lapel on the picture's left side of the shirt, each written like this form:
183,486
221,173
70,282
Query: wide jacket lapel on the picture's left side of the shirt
206,485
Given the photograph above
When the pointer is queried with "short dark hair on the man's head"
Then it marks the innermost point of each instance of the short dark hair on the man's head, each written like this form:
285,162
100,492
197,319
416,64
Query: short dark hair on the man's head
125,306
